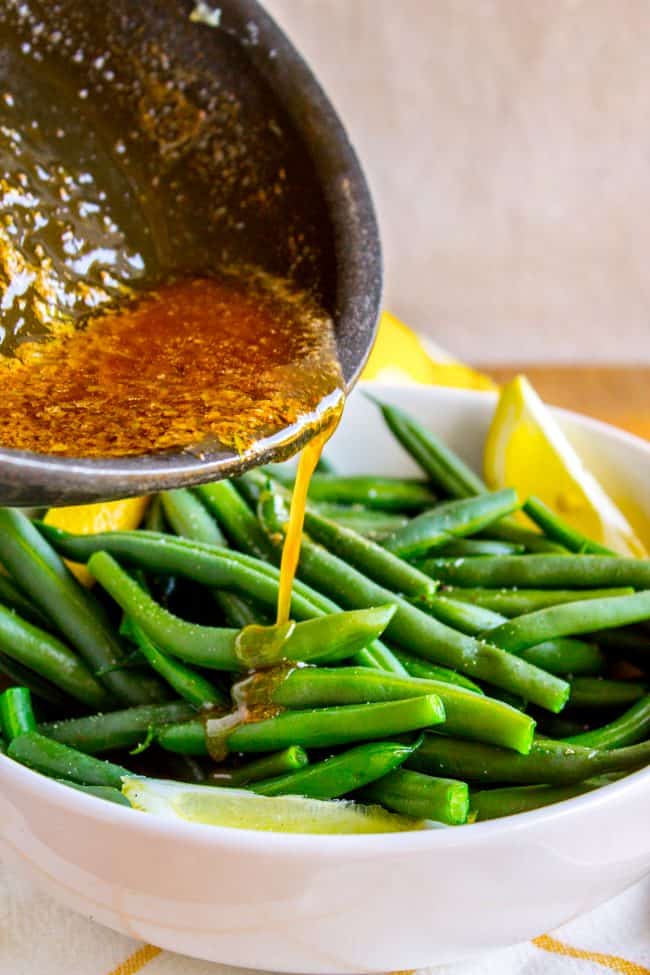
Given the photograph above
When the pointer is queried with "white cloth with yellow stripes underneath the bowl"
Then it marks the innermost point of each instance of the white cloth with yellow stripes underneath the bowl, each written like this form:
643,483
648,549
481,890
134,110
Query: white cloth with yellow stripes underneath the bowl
38,937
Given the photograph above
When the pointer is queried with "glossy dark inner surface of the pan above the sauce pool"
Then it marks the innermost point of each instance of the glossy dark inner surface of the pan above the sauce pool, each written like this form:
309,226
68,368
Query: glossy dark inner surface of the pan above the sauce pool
138,141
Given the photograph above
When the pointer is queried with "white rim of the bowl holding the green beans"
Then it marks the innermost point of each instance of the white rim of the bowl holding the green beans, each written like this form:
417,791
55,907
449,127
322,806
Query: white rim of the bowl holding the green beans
324,845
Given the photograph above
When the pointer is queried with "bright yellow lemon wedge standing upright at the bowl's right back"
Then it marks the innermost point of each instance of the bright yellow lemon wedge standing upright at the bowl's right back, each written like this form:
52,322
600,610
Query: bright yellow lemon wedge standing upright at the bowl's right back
527,450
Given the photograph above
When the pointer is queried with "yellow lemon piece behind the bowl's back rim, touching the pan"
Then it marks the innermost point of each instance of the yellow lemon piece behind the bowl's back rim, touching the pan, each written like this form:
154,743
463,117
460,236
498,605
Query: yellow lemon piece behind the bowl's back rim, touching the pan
398,355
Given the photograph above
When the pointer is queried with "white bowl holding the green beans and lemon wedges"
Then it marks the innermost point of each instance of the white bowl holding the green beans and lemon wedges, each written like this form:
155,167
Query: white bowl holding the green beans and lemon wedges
347,904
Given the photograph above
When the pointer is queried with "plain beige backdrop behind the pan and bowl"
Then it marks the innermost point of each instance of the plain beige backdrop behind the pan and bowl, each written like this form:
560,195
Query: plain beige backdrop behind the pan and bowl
508,146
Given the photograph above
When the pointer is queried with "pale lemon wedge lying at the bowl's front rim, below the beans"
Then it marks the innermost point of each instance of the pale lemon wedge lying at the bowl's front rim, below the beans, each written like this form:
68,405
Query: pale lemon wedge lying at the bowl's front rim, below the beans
240,809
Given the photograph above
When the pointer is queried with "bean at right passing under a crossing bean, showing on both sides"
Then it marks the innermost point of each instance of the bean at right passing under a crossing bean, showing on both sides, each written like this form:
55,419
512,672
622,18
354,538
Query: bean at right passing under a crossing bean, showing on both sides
561,656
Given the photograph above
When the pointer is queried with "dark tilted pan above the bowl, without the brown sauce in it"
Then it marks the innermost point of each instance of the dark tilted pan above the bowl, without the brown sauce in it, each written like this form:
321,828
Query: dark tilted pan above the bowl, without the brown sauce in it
213,109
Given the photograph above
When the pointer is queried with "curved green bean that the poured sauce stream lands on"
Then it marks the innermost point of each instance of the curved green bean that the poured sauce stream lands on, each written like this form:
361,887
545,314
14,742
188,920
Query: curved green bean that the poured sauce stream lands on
323,638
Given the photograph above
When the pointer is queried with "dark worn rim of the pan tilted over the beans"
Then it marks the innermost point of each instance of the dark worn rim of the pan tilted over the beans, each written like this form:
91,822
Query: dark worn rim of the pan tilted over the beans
359,280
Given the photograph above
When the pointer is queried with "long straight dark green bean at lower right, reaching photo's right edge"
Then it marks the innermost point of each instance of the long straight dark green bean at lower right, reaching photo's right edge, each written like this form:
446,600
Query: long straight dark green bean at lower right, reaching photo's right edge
548,762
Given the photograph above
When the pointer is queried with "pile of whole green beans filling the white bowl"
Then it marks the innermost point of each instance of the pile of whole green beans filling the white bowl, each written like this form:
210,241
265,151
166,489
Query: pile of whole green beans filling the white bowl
431,630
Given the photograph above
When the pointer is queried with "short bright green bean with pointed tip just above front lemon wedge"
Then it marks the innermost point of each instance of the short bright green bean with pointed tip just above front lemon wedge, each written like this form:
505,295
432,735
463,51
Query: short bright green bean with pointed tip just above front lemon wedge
334,777
